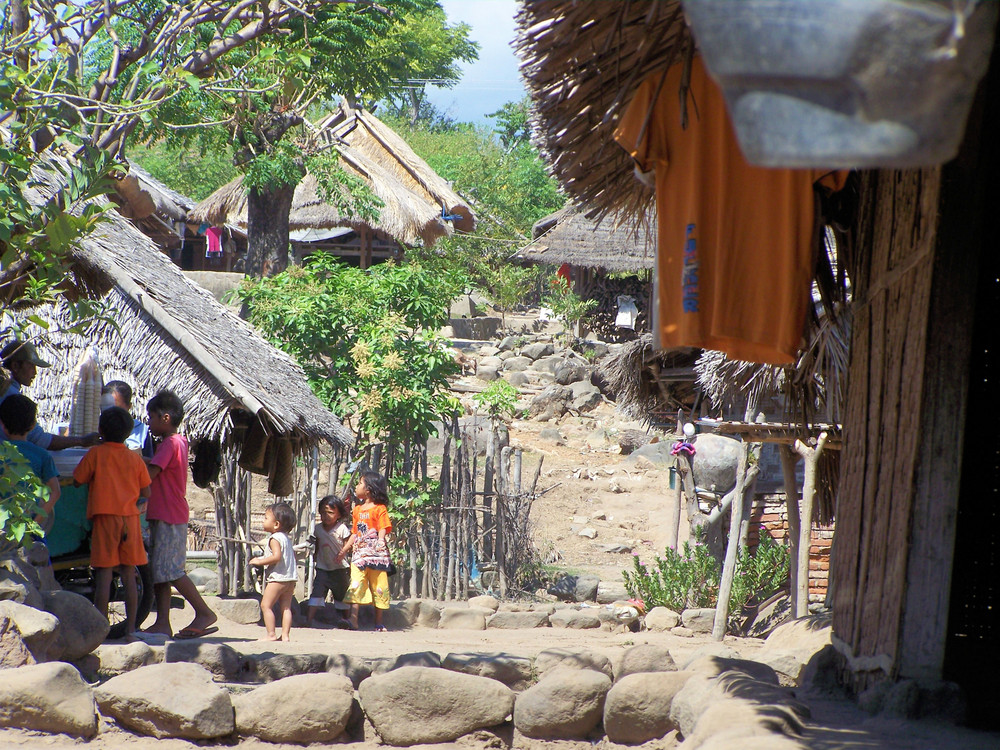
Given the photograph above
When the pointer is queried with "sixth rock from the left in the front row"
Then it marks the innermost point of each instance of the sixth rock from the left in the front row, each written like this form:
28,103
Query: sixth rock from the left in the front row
637,708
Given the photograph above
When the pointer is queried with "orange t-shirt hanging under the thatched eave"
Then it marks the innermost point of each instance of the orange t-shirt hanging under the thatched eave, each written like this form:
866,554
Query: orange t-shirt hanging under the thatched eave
734,241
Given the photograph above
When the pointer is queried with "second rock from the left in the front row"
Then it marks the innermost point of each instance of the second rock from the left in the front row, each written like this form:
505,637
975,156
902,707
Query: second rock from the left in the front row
168,700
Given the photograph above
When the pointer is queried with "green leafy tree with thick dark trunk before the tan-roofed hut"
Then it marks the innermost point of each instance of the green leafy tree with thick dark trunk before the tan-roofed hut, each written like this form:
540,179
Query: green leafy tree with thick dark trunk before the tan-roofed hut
261,108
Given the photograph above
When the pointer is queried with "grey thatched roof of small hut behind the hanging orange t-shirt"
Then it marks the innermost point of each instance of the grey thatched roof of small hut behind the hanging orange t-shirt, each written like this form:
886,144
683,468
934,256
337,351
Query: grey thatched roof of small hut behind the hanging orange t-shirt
568,236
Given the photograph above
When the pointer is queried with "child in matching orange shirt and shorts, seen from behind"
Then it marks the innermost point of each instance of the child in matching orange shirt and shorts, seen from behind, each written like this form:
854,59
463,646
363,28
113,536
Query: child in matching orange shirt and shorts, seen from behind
119,482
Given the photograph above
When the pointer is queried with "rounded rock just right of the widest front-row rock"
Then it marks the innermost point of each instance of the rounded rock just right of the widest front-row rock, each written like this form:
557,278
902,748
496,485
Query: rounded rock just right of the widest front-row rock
565,704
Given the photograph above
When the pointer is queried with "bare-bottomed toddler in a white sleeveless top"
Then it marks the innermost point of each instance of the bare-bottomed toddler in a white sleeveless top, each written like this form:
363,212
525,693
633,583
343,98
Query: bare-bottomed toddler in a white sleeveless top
280,573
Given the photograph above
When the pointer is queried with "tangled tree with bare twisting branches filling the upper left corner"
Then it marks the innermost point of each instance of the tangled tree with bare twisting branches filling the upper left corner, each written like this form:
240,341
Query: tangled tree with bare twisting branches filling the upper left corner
52,93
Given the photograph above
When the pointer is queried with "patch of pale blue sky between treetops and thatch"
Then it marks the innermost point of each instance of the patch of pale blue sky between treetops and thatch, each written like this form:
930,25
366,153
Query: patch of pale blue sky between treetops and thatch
493,79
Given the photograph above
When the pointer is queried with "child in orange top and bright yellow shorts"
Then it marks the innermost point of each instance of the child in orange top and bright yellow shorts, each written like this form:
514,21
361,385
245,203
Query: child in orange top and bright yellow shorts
370,561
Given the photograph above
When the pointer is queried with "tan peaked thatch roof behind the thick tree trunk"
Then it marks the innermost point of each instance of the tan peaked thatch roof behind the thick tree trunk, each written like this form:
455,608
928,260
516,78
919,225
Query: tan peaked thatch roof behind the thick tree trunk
416,199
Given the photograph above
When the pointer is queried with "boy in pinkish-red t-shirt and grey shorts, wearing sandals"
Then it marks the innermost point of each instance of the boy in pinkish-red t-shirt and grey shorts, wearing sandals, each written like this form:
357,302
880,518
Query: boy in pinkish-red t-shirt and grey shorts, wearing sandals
168,516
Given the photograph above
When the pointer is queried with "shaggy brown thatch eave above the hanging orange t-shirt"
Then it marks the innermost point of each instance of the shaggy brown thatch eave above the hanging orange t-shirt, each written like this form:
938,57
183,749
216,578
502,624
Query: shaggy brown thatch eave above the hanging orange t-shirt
582,62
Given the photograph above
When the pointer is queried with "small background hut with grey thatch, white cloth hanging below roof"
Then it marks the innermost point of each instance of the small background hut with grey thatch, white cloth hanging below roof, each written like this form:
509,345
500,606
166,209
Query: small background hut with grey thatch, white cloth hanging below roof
605,261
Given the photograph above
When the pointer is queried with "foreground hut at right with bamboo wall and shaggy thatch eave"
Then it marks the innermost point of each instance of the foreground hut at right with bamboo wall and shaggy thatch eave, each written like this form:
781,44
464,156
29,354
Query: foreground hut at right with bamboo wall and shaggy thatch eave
914,572
